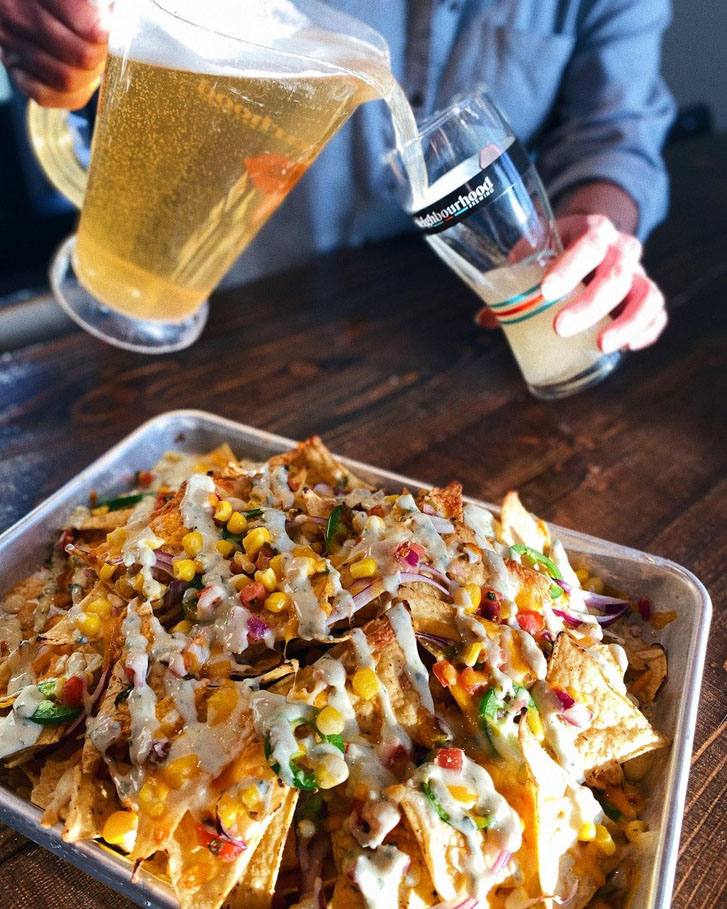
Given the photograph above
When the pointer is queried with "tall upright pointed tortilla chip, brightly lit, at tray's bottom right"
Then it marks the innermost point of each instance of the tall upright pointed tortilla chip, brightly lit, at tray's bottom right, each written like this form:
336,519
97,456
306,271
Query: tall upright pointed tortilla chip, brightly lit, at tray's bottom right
567,868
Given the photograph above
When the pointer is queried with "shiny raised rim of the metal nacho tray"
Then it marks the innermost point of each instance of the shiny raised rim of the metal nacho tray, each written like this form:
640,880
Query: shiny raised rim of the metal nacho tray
113,869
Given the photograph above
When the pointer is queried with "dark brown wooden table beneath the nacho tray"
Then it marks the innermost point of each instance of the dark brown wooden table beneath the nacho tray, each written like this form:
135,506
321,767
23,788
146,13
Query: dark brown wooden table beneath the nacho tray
375,350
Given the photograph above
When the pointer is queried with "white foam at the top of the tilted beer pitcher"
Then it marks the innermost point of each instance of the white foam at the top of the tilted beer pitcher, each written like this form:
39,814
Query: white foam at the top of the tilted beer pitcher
280,37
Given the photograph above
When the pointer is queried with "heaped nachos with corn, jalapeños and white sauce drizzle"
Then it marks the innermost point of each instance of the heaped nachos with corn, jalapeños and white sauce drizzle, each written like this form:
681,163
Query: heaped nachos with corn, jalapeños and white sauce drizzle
280,685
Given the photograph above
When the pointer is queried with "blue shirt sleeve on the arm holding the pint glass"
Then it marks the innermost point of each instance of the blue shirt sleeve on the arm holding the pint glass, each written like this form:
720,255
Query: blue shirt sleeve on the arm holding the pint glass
613,109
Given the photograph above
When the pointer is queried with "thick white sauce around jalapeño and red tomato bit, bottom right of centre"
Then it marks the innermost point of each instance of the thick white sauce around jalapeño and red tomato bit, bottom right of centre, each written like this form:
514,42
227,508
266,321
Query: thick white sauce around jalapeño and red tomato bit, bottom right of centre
503,833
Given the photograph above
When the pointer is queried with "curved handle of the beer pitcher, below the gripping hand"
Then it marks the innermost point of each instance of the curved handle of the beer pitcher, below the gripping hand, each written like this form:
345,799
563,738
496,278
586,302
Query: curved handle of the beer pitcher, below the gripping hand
51,138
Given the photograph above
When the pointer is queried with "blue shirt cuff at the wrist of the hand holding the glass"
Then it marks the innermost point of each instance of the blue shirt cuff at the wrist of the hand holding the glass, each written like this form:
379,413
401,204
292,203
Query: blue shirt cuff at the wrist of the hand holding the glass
644,181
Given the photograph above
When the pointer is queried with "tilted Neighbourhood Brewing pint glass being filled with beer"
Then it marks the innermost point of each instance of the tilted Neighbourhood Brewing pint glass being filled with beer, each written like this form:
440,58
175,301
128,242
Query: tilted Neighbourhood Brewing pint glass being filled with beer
483,209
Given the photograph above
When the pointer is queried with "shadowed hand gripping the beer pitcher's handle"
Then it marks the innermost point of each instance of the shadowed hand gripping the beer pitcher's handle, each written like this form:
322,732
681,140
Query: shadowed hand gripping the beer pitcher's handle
54,50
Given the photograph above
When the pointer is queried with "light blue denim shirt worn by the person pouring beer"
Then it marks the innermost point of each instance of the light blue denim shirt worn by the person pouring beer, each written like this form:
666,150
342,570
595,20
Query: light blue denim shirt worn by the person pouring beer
578,79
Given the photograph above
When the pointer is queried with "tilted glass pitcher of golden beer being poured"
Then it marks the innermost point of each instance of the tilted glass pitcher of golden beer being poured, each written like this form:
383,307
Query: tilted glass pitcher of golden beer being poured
209,113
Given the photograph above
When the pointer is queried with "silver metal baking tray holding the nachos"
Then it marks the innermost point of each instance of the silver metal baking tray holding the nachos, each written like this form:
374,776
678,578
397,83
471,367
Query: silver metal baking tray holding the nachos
667,584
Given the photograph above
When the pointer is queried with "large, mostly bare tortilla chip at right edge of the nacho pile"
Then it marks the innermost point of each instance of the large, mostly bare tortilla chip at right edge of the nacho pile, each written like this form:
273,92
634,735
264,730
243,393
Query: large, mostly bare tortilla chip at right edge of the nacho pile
618,730
